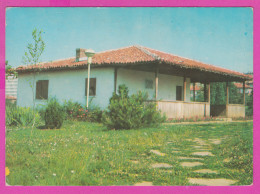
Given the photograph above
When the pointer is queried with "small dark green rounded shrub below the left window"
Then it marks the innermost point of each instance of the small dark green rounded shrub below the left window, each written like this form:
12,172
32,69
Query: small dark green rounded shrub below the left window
54,114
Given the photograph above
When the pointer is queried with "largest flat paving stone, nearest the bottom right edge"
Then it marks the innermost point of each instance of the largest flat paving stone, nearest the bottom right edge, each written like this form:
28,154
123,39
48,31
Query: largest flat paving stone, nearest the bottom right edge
211,182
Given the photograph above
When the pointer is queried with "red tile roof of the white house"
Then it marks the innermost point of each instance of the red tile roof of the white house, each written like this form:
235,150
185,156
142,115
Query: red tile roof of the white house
130,55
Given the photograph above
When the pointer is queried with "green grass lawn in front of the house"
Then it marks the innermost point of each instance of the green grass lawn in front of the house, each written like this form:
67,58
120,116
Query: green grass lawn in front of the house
83,153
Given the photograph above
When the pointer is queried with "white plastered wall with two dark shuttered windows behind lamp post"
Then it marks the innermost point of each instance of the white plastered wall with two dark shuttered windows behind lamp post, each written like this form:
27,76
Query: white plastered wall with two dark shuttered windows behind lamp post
66,85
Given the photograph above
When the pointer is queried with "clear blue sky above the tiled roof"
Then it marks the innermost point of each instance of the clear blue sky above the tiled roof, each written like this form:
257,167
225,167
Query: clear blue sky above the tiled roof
217,36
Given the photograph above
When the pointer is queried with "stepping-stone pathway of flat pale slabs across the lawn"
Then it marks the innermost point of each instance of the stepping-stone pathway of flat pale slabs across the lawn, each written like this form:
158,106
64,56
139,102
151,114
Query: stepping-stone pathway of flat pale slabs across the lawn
202,148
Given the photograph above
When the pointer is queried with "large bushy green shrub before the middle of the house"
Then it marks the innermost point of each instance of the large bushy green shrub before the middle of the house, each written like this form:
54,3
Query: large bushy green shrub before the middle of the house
126,112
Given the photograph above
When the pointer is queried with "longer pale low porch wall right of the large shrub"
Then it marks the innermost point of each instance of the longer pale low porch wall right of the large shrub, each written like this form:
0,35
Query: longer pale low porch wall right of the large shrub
180,109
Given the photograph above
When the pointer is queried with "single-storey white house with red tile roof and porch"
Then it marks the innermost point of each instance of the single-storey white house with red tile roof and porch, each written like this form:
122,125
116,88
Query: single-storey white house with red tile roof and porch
165,77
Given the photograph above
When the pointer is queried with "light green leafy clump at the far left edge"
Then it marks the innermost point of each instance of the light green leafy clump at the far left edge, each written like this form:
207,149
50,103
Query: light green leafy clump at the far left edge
21,116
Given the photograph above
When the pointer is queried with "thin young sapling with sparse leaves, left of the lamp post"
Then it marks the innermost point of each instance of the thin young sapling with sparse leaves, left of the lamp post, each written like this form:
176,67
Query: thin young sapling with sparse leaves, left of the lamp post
32,55
